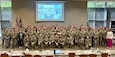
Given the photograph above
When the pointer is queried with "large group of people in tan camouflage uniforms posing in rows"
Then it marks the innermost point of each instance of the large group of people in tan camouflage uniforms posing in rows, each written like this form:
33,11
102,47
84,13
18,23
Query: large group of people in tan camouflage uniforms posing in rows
54,36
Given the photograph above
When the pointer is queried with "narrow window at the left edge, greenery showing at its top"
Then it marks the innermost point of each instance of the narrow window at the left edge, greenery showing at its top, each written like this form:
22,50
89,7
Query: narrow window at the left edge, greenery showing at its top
5,14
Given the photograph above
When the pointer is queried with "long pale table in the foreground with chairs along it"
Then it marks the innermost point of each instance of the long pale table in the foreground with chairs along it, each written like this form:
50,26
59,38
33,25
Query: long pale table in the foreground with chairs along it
62,53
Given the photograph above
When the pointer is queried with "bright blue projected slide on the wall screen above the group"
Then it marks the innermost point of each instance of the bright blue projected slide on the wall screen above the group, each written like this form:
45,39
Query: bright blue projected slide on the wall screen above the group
50,12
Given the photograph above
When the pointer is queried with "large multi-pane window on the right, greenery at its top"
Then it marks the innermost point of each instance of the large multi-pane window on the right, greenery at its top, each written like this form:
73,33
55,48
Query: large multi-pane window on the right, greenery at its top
101,14
